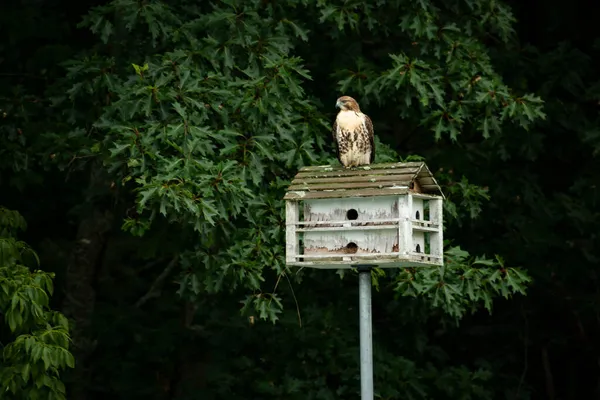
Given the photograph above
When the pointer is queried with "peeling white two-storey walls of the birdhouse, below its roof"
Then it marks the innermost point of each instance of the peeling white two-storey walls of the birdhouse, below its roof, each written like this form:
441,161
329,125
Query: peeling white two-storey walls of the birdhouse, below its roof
397,230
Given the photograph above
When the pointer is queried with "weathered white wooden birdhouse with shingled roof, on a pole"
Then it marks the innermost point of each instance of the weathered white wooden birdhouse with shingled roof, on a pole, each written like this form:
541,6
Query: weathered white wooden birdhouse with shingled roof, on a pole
385,215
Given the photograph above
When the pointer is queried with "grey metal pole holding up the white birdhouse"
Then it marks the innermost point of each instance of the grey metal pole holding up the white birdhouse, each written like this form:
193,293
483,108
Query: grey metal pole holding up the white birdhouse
366,333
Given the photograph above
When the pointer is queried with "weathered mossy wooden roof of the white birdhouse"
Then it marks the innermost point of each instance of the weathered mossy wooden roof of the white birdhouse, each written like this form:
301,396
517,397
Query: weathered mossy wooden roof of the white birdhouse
327,181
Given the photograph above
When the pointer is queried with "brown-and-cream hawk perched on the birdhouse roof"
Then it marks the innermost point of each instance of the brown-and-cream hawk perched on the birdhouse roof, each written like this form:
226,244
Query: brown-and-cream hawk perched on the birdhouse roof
353,134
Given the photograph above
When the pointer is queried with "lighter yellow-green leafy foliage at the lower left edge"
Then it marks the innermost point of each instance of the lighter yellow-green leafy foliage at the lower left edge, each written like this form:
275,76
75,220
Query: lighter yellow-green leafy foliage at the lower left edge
38,337
